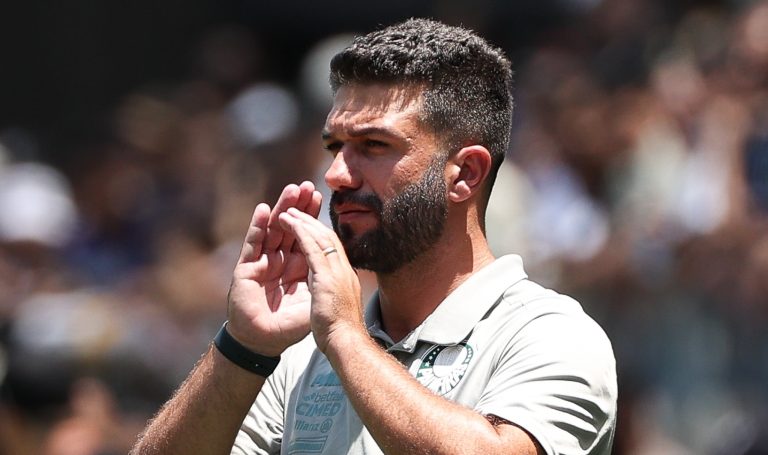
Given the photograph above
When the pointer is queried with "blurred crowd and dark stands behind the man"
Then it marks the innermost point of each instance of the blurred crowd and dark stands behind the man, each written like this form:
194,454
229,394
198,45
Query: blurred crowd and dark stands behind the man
136,138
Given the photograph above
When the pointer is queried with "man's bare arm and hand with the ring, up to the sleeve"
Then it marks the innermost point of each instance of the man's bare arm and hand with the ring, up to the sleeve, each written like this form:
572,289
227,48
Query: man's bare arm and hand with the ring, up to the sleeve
421,422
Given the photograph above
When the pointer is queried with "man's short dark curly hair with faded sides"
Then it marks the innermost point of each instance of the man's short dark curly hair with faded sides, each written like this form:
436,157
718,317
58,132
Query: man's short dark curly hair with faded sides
467,82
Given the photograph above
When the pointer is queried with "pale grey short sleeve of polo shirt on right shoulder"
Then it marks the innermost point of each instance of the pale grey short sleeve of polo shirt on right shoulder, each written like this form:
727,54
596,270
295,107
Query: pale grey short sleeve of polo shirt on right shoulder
556,379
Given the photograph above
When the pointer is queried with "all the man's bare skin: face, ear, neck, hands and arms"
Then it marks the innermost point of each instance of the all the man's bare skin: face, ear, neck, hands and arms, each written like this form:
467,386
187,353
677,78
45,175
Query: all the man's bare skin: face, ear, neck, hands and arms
285,286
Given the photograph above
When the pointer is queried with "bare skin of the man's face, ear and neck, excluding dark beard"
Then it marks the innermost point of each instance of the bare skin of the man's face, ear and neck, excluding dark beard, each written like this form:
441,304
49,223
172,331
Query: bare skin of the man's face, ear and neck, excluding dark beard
380,146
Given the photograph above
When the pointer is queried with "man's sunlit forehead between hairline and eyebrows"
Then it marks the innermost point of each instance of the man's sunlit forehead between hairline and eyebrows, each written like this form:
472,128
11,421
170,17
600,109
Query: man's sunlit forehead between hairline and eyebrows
375,104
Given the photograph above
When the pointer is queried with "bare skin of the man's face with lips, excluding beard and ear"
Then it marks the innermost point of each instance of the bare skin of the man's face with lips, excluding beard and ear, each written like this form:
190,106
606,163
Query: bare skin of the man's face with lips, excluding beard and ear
374,134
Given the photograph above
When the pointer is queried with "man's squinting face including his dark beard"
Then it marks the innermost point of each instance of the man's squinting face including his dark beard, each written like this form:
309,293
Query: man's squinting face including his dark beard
389,195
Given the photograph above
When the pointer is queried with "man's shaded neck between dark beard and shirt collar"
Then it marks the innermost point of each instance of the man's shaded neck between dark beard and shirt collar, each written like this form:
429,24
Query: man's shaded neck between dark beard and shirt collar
412,293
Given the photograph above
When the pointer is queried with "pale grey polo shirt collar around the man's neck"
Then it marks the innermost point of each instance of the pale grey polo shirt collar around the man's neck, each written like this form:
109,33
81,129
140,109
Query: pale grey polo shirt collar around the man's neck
458,314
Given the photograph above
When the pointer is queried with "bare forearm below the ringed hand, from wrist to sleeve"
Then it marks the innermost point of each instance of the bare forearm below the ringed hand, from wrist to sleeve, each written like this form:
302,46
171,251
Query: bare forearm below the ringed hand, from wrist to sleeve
421,422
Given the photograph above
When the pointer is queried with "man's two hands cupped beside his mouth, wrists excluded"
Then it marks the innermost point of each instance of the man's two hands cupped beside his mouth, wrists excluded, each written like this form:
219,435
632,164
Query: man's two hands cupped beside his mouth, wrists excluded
287,281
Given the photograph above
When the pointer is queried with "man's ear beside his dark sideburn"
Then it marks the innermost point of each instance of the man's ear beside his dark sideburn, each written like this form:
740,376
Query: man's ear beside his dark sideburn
467,170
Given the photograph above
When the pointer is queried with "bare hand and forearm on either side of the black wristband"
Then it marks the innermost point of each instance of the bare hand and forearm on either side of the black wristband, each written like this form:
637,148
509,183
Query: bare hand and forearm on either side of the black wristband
268,310
